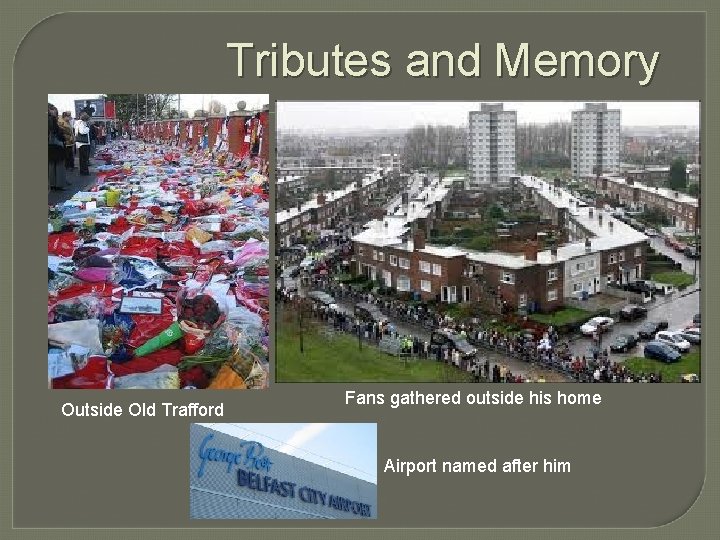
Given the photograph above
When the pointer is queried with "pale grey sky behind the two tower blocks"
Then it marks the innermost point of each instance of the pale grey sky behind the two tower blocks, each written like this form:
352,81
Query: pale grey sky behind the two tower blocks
331,115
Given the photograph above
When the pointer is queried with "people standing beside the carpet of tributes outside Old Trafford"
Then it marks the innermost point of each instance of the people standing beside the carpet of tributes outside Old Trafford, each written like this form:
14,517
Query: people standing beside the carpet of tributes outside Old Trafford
69,139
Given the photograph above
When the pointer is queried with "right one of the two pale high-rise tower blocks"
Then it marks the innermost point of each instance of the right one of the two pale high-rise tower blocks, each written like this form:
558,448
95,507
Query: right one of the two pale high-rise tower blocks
595,140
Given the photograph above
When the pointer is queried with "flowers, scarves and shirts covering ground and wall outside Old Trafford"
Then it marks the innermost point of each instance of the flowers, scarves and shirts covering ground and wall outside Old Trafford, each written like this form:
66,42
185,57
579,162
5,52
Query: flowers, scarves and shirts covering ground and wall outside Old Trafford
158,268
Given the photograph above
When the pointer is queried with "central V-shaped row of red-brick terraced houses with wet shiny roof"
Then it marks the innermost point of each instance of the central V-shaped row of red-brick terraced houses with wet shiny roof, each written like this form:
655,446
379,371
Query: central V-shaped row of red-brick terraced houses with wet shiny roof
601,251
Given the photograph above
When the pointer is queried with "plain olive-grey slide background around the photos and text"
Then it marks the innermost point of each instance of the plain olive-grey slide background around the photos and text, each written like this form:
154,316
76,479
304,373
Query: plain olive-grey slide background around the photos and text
646,458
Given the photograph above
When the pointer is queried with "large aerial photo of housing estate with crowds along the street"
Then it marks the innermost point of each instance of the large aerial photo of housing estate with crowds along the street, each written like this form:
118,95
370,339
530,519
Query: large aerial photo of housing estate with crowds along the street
465,242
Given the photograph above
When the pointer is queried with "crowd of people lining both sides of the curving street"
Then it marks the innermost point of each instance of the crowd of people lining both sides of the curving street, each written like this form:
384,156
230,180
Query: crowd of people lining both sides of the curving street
547,352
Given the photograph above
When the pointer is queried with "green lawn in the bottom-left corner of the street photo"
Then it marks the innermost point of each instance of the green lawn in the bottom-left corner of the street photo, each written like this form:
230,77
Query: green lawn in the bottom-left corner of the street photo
338,359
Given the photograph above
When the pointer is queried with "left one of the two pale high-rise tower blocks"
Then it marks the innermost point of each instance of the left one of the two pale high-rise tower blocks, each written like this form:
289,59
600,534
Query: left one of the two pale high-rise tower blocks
491,145
